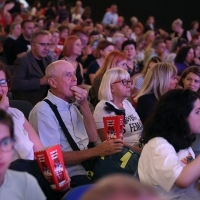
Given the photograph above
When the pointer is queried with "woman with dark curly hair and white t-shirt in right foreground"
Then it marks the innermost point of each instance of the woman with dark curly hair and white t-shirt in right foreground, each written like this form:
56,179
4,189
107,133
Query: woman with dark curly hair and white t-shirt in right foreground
167,161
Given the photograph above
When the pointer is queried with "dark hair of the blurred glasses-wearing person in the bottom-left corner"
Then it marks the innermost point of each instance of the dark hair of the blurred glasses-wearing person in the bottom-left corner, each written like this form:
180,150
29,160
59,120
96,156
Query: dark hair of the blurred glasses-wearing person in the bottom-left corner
6,120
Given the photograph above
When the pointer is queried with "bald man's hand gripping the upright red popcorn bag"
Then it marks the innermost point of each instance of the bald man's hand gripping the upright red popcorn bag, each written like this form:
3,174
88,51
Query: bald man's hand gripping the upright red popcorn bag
110,147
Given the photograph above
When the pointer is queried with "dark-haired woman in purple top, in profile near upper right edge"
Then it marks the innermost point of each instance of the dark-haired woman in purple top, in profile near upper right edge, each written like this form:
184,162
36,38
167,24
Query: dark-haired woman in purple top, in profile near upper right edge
184,59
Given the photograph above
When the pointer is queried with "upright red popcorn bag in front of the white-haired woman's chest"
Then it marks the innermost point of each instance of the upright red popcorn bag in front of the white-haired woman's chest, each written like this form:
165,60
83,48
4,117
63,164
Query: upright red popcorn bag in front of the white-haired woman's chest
113,126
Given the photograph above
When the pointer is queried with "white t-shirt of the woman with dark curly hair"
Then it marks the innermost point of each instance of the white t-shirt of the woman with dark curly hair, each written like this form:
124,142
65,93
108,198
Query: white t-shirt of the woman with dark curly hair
159,166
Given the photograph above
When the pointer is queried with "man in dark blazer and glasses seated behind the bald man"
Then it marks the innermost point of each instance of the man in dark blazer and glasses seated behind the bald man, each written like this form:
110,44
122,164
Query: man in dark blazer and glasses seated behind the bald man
29,82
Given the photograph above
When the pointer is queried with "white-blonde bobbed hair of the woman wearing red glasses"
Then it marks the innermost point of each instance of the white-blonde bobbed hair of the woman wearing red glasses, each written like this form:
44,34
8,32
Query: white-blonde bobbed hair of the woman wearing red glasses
110,77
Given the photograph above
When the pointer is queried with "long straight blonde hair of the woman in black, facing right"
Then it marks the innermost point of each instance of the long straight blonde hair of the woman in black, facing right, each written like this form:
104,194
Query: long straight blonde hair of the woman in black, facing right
157,80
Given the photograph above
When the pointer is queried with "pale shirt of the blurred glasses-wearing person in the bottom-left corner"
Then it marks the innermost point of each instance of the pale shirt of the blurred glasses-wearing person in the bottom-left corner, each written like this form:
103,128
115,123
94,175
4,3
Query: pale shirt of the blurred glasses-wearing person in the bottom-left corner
20,186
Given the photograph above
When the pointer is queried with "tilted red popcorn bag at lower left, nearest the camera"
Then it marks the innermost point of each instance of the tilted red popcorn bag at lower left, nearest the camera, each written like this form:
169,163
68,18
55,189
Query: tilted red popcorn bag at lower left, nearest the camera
51,163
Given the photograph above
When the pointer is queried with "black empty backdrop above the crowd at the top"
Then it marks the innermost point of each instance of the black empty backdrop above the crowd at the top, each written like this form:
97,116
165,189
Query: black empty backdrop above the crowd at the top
165,11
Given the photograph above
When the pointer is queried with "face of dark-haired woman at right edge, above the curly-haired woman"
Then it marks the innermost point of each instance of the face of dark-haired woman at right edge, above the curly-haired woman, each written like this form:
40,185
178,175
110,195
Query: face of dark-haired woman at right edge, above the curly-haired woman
192,82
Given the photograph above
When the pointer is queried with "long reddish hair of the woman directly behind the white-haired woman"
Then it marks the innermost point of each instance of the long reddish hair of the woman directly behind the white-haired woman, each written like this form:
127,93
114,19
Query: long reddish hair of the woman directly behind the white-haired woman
111,61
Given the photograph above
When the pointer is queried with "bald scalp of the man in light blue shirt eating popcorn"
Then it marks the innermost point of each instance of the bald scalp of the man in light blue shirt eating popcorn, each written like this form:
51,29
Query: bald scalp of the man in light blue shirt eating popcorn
55,68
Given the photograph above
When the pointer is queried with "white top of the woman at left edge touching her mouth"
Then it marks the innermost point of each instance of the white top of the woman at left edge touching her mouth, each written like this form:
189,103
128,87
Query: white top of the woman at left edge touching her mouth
23,146
